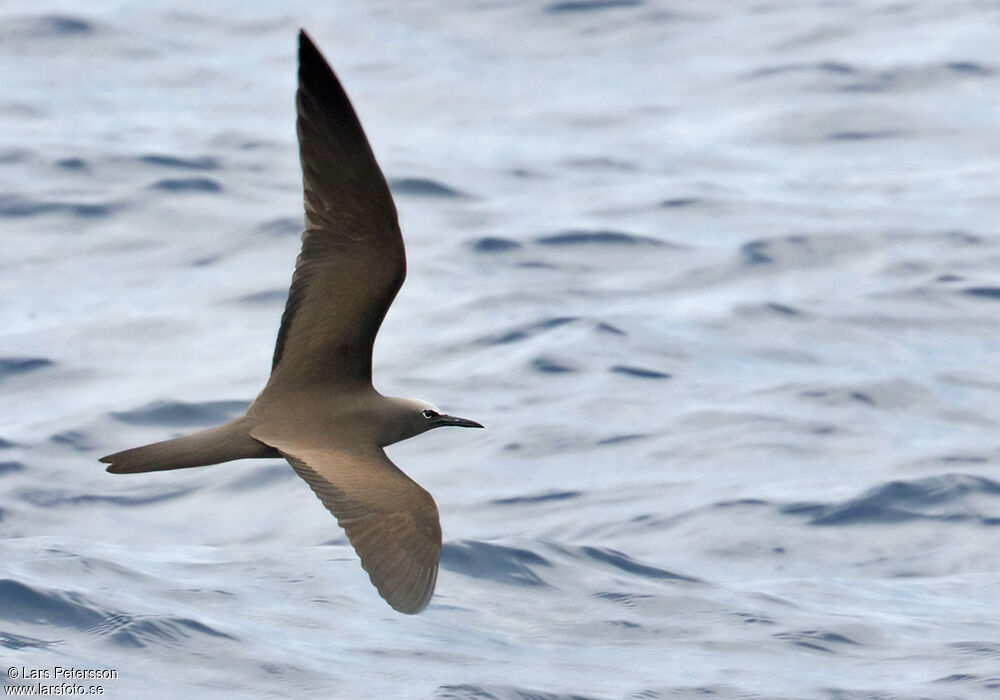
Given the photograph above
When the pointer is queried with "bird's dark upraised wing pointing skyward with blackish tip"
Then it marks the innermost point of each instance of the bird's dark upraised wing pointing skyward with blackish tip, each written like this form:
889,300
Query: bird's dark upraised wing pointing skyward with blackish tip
352,261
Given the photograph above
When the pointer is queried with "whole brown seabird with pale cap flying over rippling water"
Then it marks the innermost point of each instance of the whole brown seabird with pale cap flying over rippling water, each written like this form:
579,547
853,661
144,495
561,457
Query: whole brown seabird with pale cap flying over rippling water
319,409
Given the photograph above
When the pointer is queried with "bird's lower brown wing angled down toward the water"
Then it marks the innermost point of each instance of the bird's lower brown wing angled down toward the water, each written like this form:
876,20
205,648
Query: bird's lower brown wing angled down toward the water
390,520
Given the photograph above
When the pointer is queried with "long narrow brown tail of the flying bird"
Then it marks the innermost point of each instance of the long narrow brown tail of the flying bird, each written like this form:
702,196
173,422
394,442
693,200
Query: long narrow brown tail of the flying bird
222,444
